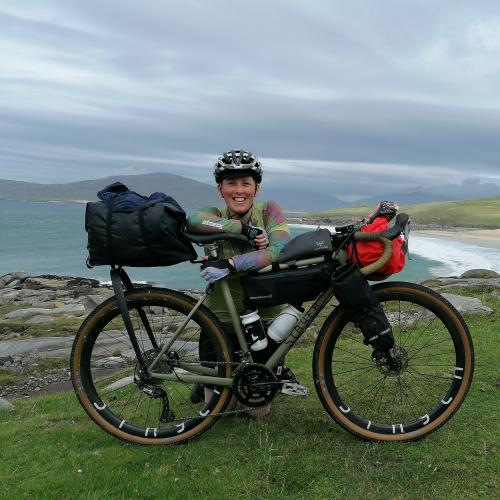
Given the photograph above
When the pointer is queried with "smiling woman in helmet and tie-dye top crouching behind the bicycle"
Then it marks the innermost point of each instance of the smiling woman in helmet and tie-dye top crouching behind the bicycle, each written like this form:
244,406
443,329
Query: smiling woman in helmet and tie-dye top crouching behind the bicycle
238,175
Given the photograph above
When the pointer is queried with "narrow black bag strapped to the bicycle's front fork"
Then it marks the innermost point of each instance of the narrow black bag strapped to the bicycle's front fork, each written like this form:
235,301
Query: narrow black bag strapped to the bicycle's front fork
353,291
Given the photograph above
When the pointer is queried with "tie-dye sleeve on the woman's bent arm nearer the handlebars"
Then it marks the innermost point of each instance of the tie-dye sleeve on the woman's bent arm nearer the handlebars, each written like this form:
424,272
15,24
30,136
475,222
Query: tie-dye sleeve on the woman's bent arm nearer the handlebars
278,234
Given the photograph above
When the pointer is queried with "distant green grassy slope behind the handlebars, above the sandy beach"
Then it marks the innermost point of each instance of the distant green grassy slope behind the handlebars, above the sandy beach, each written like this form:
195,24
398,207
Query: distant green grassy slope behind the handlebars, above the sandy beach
479,213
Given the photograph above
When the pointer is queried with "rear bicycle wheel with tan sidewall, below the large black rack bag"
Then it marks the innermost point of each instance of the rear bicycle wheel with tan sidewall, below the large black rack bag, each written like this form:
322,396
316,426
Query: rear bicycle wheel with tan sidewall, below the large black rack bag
104,369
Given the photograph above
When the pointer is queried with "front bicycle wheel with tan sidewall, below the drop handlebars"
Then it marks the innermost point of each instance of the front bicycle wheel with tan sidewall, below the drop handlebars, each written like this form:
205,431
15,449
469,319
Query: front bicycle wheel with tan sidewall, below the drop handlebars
436,364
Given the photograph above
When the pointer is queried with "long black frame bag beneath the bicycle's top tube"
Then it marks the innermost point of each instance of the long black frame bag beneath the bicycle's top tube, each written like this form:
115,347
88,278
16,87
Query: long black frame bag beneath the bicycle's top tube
287,286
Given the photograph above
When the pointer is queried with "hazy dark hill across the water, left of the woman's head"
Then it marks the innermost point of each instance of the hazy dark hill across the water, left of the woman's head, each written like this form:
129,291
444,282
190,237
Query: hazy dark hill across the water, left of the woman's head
187,192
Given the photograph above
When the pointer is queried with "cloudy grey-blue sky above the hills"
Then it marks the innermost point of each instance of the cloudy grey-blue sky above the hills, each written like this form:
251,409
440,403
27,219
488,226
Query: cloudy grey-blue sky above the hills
342,97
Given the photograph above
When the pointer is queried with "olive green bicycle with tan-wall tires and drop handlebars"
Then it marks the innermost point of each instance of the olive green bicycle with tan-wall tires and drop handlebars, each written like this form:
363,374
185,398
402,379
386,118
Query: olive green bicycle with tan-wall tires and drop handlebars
136,357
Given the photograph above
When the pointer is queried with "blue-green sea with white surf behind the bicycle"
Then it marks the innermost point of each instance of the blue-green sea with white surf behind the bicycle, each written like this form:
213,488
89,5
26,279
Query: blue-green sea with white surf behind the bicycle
49,238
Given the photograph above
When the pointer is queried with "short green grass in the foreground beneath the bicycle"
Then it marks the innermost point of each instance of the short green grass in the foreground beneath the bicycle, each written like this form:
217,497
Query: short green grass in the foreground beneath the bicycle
54,451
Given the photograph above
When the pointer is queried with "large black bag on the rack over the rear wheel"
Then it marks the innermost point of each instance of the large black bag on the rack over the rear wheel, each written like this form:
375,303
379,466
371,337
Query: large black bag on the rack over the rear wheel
147,237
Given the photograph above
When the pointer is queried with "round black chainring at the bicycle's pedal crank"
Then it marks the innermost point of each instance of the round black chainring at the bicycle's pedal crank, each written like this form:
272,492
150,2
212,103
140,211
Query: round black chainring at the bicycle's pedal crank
254,385
